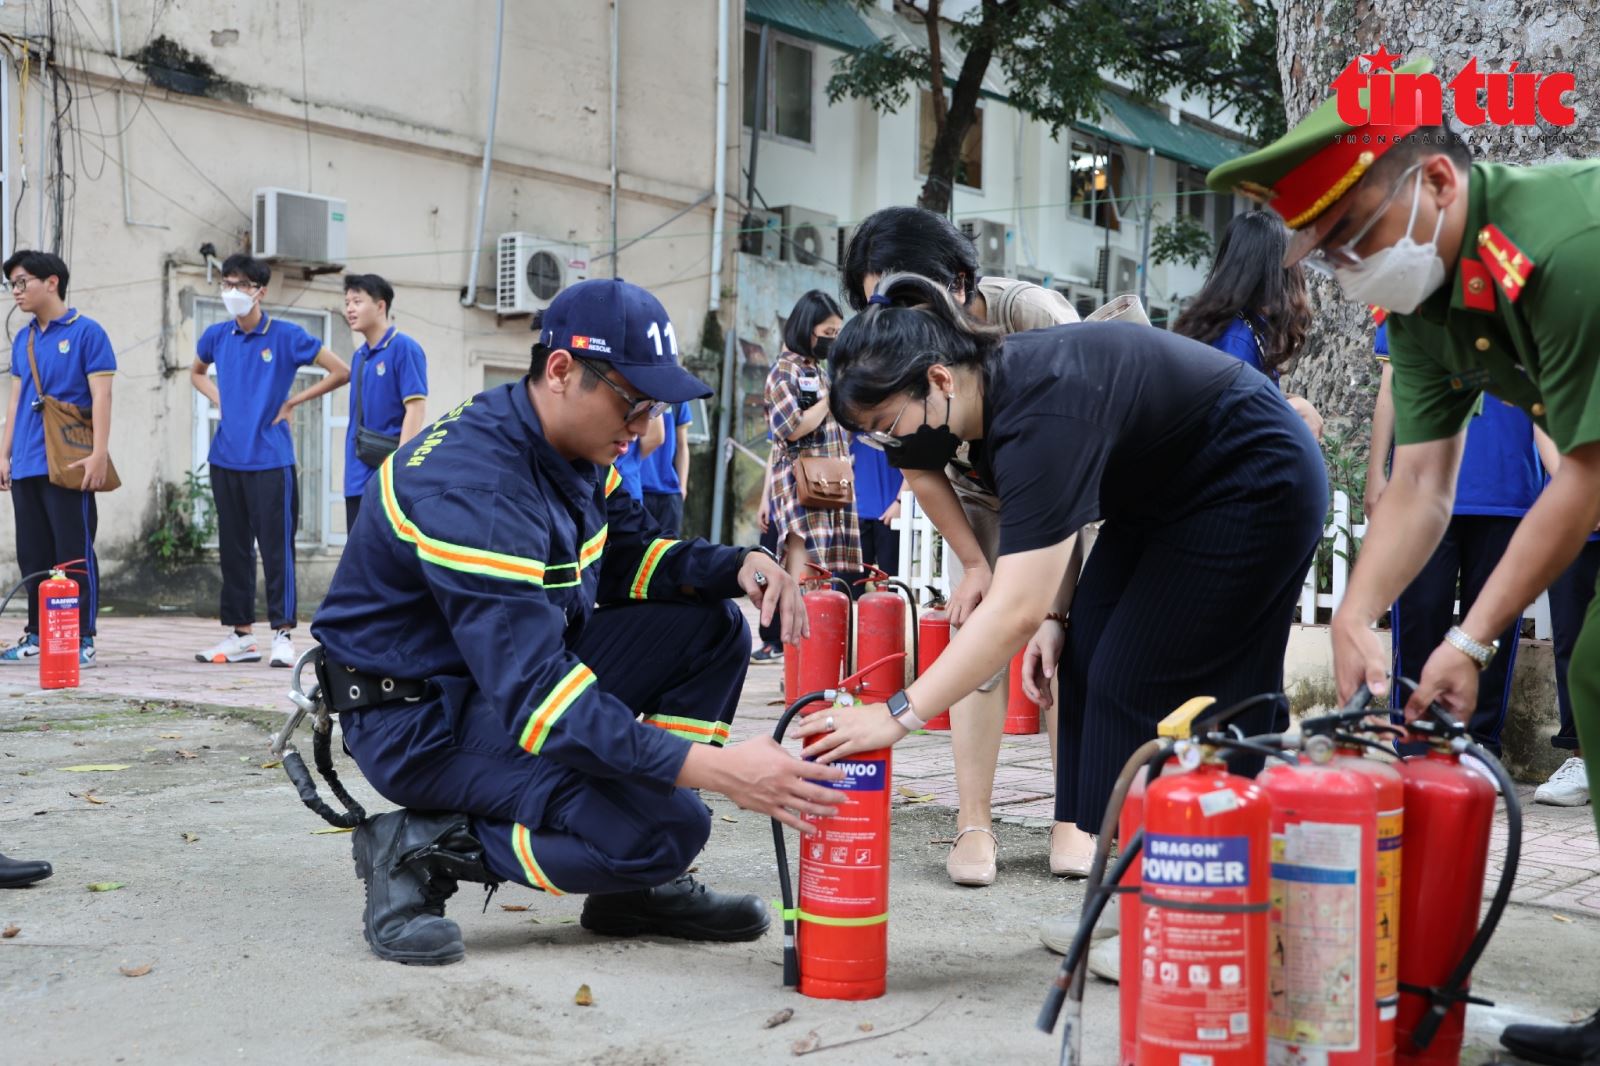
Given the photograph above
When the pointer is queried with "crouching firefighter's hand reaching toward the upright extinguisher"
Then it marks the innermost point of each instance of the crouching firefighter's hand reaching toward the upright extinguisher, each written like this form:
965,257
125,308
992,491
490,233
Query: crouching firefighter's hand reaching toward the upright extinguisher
762,777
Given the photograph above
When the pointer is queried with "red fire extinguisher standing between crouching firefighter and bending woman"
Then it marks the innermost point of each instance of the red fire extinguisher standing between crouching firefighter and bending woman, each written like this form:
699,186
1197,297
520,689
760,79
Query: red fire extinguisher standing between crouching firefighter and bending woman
836,940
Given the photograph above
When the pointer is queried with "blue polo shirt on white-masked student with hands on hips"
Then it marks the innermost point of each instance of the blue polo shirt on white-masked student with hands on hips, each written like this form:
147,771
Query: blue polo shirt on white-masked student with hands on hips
255,374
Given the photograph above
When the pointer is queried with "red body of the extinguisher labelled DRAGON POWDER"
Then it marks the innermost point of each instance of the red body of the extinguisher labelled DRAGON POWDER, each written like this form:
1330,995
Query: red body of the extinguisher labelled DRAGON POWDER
1204,923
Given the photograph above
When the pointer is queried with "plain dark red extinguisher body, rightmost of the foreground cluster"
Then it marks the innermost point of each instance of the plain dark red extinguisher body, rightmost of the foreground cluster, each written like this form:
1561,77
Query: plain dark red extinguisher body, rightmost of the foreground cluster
1449,816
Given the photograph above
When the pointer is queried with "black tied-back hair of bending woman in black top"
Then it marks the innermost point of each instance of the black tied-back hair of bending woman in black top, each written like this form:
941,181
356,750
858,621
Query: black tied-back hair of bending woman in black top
890,348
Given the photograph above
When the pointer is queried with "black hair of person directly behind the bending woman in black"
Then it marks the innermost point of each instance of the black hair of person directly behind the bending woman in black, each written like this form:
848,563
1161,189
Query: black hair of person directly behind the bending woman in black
913,241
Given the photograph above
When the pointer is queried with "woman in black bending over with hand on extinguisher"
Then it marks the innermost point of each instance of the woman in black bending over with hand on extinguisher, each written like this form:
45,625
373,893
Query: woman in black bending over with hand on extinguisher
1212,492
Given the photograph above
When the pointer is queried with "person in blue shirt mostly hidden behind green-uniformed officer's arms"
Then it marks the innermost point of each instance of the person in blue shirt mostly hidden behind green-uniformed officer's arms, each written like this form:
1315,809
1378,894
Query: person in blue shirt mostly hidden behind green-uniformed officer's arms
1498,483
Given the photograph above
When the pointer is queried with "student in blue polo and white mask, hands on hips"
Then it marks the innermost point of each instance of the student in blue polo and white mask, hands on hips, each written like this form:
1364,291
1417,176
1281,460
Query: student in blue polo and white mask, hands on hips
254,479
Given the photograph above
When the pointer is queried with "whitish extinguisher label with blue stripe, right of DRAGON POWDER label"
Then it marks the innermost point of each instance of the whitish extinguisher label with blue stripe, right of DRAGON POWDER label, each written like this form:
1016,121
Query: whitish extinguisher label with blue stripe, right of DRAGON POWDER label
1316,939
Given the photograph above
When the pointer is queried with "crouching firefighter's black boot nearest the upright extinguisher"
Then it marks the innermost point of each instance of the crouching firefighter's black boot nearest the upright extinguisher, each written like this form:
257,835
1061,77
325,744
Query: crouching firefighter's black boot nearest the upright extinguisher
682,908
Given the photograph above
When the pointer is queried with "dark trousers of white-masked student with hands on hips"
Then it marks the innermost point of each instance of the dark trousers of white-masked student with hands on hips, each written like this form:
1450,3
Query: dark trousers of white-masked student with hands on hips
257,508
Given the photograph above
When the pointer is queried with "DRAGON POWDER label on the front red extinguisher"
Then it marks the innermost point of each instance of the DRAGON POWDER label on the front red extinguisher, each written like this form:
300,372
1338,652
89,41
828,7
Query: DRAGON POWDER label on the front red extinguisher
1194,953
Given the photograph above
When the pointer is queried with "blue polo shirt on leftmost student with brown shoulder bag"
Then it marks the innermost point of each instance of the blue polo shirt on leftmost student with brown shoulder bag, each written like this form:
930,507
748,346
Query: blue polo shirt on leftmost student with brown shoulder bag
70,351
